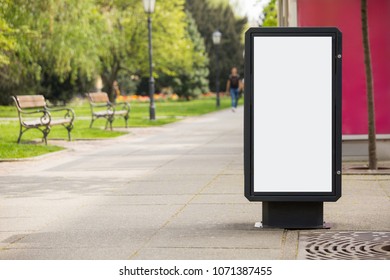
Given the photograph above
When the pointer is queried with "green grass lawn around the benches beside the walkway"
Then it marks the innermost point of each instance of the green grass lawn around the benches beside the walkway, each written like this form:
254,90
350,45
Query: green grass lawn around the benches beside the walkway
166,112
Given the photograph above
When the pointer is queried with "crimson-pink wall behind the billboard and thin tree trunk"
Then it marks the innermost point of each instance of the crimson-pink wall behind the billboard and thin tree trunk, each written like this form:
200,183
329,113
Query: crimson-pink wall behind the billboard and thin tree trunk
345,14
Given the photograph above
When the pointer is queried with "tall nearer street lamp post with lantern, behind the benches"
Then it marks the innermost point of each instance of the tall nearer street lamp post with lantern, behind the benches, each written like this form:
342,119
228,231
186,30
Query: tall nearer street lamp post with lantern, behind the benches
149,9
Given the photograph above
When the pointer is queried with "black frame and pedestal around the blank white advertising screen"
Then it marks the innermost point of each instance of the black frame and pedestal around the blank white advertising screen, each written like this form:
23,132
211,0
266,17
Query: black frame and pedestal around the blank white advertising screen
272,200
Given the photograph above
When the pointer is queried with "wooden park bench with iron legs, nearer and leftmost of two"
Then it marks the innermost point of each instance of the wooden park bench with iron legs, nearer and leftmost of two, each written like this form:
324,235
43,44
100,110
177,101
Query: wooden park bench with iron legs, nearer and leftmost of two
34,113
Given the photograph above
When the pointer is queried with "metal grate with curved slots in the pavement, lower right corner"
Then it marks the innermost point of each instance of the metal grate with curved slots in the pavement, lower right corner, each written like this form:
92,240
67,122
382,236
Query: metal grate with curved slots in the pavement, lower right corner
344,246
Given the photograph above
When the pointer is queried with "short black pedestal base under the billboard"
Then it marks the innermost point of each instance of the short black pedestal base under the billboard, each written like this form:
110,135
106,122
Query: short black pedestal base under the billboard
293,215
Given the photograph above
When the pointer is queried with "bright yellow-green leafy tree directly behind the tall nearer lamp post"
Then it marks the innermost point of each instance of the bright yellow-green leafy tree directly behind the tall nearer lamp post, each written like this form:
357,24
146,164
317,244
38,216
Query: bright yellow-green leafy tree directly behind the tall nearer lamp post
128,44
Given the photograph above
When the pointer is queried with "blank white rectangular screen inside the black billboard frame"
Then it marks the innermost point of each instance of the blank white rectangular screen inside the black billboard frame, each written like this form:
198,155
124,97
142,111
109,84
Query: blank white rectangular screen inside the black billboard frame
292,114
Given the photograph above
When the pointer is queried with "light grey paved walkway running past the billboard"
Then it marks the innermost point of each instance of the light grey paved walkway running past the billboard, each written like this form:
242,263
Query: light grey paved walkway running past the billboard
173,192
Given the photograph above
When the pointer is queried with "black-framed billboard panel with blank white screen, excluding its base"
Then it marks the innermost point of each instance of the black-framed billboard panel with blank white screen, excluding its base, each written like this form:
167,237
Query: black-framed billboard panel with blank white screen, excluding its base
292,137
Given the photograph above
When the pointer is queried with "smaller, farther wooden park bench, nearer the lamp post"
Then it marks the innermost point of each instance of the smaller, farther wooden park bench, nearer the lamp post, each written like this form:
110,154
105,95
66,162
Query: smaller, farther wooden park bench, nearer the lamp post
101,107
